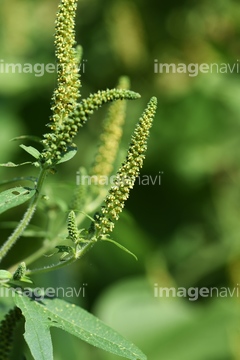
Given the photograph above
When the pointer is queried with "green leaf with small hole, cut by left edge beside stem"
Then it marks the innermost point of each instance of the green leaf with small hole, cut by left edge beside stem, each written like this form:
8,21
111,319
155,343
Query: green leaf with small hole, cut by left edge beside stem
14,197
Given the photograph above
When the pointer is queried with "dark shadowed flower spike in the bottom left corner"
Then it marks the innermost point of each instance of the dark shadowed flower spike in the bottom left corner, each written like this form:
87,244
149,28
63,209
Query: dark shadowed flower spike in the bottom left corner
7,327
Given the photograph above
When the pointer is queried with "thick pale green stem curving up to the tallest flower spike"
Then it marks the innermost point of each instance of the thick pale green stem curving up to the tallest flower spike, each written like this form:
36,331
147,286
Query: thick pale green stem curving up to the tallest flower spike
26,218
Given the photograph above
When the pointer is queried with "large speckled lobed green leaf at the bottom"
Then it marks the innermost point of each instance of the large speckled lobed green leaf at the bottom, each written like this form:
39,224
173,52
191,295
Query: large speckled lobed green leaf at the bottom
73,319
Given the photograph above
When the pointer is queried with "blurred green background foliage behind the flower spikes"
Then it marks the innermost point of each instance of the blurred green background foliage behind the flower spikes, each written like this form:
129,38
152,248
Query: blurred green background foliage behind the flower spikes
184,231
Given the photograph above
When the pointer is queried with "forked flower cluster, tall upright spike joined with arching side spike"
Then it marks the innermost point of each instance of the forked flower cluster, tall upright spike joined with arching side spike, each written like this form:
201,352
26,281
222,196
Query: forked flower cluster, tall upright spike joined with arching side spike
68,115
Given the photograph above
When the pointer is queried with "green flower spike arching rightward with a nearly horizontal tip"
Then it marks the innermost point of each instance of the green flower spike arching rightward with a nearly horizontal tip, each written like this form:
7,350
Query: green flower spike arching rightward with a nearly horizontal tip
56,143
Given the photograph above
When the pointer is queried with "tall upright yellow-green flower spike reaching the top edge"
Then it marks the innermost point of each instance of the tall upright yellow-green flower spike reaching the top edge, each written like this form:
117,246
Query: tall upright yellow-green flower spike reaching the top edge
66,94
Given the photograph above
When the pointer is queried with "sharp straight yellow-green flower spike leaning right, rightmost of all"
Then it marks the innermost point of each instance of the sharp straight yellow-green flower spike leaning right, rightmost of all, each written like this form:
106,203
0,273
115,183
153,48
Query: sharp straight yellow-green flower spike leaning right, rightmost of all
128,172
